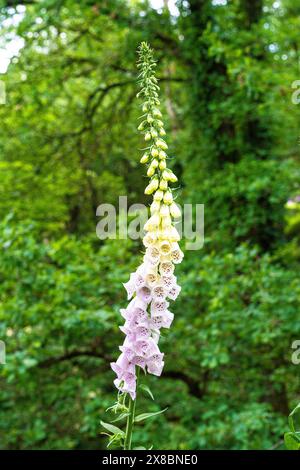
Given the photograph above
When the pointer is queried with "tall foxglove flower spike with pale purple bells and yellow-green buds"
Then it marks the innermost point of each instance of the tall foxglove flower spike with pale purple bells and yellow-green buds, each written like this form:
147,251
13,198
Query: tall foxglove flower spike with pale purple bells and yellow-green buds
153,285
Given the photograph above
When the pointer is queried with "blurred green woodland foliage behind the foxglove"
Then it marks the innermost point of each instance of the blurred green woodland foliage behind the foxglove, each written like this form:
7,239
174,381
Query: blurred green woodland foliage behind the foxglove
69,143
